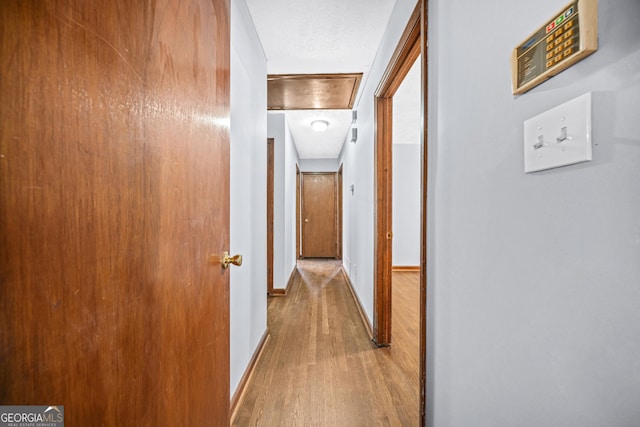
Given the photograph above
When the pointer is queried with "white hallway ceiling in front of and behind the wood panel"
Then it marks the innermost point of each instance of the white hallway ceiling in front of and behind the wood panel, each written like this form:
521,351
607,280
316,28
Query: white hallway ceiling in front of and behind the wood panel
318,37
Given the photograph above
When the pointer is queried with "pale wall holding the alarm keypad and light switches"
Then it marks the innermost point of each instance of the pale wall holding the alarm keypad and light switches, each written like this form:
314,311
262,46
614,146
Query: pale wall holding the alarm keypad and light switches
533,280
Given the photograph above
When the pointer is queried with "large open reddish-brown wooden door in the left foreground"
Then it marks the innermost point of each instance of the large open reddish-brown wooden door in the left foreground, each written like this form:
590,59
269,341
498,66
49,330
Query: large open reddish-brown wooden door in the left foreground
114,193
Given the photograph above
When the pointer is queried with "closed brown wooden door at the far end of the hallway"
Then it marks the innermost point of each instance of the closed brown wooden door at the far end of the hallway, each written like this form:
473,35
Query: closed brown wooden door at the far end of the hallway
319,215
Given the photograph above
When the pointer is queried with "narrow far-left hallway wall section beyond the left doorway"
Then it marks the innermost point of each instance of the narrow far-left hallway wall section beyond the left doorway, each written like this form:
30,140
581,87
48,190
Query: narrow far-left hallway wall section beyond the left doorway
285,160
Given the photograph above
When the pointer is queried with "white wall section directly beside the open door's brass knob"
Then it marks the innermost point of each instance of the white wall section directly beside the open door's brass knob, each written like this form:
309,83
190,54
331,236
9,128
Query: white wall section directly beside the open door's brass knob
248,316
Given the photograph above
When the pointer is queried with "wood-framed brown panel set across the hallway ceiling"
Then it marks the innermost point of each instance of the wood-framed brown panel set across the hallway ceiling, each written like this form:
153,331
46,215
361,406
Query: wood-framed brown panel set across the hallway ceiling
312,91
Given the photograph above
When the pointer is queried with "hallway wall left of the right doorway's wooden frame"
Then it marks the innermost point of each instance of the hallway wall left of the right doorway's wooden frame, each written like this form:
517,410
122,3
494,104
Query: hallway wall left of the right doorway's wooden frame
358,161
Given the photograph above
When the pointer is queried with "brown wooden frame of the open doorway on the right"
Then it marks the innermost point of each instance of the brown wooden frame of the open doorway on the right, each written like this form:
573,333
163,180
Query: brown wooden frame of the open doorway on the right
412,43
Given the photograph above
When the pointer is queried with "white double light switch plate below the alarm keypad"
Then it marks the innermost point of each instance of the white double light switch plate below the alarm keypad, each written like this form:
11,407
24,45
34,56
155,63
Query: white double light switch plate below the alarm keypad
558,137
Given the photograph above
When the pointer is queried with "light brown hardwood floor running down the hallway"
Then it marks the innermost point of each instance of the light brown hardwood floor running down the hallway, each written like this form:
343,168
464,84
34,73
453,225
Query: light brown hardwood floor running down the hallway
319,368
